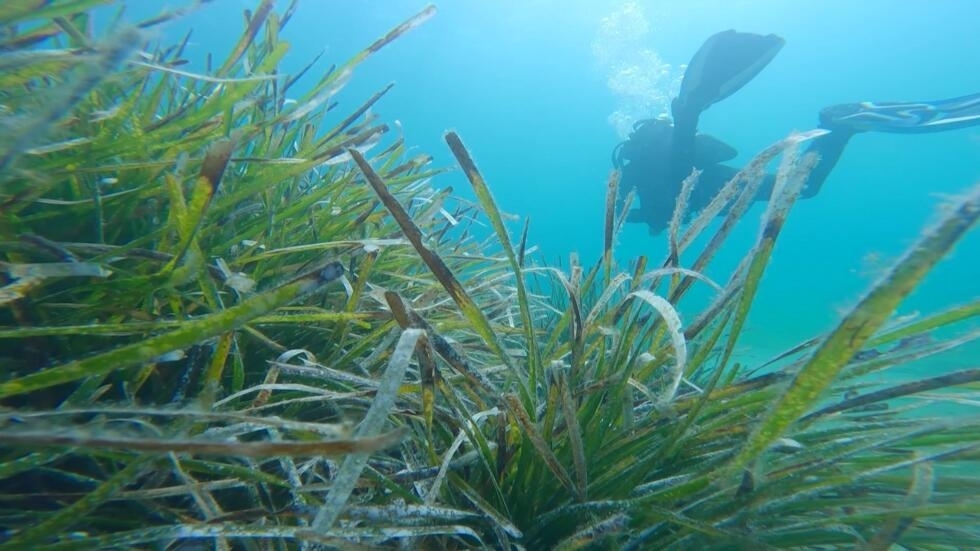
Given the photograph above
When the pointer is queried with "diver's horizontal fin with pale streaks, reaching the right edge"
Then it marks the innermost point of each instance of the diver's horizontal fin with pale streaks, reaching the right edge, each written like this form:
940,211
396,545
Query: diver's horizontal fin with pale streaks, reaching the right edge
903,117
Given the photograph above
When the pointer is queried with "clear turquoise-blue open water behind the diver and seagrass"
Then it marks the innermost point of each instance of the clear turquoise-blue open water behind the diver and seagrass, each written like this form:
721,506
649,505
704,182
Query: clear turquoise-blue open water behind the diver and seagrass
521,83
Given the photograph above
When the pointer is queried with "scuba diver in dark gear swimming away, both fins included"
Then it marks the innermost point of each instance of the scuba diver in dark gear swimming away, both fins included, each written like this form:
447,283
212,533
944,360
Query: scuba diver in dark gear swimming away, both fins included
660,153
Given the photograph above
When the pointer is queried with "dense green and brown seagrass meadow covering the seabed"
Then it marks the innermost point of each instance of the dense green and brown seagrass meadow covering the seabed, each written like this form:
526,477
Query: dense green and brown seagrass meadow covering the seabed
234,315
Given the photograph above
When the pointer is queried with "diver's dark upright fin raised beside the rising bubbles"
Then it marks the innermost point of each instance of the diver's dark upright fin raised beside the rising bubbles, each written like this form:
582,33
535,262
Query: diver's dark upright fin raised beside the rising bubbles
725,62
